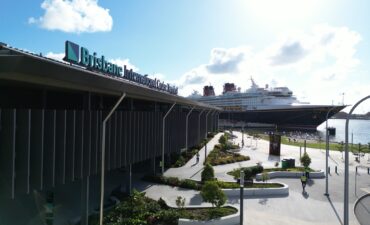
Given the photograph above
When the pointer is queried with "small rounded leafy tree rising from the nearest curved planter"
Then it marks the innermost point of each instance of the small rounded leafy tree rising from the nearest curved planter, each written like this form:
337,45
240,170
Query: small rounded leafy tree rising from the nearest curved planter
213,194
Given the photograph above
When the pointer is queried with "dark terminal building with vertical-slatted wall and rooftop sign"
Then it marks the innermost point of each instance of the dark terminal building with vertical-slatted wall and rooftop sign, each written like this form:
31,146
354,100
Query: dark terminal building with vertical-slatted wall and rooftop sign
51,131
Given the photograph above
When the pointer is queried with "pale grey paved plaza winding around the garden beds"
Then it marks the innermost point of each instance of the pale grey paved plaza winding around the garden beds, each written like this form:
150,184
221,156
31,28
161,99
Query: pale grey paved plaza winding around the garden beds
312,207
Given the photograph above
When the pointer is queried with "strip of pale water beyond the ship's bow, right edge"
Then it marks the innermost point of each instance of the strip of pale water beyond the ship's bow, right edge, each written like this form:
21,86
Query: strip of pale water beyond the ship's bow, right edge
359,128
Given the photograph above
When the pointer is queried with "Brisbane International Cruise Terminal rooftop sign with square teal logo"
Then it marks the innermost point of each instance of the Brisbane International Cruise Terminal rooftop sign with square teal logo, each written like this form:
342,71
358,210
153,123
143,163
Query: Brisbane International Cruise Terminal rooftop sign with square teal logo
72,55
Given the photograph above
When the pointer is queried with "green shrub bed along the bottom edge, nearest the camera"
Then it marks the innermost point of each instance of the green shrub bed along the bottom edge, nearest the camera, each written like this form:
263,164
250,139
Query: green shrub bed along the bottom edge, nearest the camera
138,209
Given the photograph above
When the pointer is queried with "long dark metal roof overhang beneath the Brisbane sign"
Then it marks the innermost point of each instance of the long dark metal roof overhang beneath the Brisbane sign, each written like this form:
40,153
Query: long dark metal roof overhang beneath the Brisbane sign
20,66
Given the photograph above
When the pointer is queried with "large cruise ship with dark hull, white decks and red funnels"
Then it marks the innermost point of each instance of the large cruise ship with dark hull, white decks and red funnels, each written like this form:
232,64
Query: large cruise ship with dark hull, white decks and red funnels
276,107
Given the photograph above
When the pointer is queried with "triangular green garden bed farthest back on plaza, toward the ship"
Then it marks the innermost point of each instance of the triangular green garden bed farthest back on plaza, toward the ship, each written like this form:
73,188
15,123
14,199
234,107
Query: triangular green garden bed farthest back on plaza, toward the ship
223,153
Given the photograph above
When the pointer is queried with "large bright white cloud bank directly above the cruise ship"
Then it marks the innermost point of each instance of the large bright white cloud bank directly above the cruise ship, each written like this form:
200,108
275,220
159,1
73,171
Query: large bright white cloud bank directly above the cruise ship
316,64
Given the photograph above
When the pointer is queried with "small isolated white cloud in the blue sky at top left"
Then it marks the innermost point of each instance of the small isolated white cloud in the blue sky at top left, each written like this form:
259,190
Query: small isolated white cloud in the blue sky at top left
74,16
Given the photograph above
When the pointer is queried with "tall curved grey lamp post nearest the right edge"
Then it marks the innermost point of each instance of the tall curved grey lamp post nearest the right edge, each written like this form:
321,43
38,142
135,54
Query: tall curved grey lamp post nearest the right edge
346,165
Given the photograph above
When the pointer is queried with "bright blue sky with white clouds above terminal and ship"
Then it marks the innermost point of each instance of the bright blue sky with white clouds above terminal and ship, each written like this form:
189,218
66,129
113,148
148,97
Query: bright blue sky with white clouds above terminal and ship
318,49
